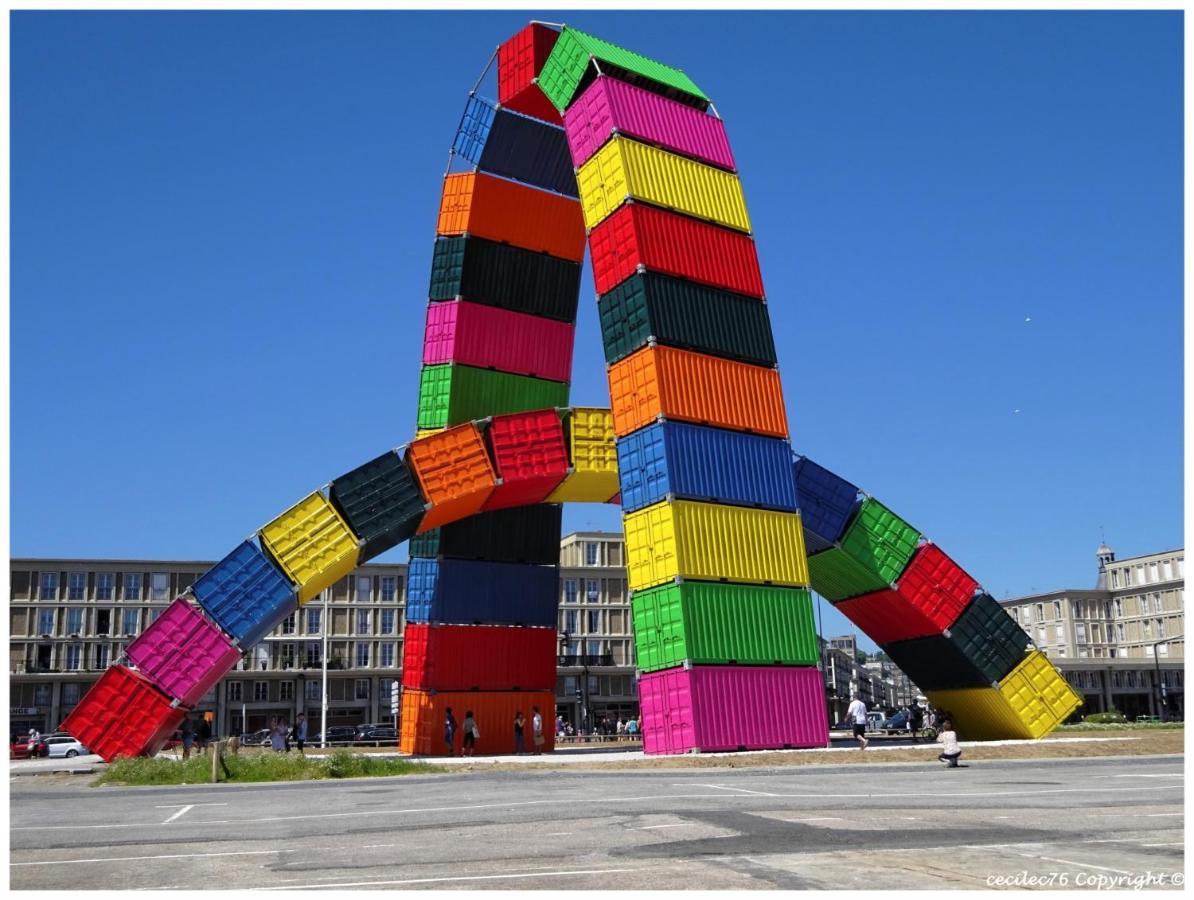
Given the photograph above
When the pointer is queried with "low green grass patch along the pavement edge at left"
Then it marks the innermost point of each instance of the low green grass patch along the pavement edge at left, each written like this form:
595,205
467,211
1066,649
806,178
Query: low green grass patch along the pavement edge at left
259,767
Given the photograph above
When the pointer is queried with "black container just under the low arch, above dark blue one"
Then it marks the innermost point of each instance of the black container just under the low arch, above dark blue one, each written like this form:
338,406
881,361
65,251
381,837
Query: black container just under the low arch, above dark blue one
522,534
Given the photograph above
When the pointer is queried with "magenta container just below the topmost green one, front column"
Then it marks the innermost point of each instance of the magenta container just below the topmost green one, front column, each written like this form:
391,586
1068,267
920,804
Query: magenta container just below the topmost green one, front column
611,106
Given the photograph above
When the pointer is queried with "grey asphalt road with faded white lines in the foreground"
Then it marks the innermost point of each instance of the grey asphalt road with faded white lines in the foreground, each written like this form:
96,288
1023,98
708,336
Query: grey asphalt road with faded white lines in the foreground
1066,823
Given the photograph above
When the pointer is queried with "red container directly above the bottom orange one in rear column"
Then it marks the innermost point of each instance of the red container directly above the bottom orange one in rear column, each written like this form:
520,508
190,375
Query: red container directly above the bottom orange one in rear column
478,658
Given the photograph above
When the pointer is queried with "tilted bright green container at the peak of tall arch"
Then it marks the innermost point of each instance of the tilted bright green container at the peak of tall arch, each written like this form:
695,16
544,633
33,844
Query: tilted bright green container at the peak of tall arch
569,63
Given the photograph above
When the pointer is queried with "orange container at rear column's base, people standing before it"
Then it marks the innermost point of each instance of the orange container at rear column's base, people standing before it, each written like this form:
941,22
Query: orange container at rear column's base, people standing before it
422,722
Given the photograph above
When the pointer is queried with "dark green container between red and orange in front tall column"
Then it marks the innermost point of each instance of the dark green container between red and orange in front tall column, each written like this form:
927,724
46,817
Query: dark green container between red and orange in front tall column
682,315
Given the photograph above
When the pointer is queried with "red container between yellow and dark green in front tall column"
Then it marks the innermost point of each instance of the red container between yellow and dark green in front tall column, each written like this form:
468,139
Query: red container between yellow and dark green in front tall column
639,236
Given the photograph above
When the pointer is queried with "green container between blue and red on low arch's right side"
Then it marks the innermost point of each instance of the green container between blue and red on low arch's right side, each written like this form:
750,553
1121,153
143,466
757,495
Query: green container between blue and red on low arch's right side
871,557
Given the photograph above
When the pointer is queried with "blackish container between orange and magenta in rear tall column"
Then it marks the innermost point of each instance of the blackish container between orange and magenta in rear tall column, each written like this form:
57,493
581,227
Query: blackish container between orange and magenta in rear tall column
500,275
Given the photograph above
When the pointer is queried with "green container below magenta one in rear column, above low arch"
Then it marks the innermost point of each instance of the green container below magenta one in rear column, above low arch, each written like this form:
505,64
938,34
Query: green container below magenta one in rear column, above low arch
451,394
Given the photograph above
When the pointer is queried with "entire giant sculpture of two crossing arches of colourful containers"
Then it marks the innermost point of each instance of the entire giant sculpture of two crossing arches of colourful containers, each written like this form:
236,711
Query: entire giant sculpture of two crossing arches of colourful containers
727,531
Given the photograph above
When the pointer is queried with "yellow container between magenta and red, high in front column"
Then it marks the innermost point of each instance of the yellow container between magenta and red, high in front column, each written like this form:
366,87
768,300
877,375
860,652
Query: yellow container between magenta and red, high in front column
627,169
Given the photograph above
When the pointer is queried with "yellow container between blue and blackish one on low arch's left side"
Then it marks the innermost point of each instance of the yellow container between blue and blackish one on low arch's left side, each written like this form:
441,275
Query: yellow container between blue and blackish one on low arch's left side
312,545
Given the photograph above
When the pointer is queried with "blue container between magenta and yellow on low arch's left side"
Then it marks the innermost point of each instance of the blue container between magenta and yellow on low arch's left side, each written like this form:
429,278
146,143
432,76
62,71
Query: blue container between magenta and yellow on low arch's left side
247,595
